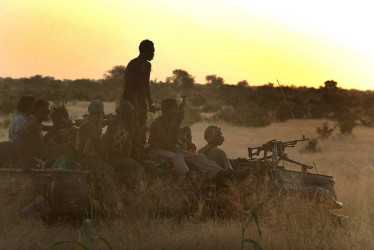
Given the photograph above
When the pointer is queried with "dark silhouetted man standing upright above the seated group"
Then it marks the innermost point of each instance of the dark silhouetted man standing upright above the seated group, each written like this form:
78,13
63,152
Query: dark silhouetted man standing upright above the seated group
136,87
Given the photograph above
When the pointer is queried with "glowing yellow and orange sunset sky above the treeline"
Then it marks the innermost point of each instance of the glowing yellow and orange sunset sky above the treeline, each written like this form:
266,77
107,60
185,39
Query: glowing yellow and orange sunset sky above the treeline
298,42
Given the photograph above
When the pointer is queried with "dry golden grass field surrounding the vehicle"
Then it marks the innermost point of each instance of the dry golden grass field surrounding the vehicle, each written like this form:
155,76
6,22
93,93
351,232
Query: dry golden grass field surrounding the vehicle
154,219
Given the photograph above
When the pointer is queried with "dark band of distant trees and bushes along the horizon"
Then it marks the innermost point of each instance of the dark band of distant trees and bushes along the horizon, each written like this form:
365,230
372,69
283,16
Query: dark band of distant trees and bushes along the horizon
239,104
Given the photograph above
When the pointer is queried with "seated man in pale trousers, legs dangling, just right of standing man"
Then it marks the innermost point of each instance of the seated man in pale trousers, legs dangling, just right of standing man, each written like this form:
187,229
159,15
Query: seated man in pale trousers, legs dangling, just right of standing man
163,141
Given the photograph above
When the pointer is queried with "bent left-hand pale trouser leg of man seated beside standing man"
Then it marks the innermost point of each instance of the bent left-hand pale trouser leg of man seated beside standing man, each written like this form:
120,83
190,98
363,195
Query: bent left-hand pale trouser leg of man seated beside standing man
175,159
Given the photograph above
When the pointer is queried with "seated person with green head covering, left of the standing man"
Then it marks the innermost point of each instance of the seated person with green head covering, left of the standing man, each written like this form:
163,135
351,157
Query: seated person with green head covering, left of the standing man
94,150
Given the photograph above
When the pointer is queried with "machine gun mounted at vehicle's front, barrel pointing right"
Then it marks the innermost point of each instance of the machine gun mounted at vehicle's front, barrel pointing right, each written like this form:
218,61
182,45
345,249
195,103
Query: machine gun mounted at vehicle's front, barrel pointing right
277,148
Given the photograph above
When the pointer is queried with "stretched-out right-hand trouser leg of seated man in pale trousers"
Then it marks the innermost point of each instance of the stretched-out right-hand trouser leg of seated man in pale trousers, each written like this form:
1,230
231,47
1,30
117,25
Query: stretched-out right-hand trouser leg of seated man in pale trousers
202,162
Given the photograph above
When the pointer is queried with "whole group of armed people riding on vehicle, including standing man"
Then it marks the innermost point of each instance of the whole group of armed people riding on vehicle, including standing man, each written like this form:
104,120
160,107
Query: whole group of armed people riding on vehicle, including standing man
124,146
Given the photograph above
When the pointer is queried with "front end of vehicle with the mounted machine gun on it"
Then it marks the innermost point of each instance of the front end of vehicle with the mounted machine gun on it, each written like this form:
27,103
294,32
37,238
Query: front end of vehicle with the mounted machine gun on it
264,164
